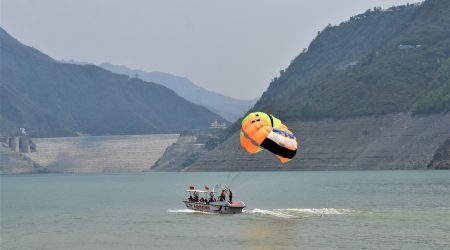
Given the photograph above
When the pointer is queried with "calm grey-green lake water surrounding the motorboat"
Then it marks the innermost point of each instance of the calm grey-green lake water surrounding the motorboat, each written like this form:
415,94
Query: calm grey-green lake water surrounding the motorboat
285,210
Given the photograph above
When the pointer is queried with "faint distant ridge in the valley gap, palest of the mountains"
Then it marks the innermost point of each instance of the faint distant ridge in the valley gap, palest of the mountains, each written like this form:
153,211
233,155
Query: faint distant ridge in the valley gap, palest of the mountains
227,107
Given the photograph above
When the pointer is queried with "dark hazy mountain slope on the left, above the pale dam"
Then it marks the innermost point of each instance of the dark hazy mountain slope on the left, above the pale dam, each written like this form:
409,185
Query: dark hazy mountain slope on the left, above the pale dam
50,98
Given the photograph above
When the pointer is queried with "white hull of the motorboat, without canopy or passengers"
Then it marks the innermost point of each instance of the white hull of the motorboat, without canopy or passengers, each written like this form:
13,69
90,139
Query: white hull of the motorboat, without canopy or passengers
216,207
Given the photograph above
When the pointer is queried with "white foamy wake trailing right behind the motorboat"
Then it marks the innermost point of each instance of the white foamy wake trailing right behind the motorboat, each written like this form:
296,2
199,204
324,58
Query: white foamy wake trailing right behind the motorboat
300,212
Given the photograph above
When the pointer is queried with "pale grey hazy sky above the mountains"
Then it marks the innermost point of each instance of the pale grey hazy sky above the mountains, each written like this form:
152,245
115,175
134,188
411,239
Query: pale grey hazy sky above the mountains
234,47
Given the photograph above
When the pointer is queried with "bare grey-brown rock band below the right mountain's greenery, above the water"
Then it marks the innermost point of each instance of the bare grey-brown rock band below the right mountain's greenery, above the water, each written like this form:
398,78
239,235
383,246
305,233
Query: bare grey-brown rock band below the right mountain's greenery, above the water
397,141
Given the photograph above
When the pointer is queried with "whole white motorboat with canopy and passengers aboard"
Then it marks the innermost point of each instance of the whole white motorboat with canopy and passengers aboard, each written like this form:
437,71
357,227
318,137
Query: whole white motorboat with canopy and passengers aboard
218,200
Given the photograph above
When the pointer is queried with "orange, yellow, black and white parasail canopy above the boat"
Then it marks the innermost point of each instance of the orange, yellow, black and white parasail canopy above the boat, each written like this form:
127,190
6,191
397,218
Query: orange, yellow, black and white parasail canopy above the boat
261,130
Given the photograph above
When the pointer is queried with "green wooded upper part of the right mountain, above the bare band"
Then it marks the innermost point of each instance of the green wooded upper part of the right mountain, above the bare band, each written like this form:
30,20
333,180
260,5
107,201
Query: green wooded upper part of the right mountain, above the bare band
379,62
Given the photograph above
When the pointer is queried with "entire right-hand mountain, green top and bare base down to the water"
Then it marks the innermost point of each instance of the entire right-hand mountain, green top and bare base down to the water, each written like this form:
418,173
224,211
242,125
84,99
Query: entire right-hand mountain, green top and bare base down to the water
370,93
